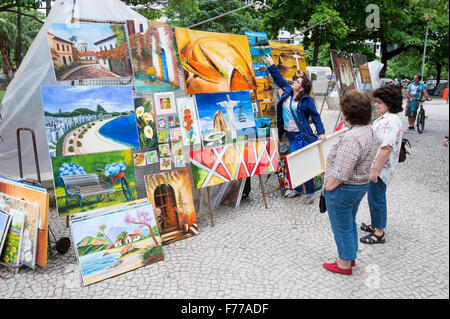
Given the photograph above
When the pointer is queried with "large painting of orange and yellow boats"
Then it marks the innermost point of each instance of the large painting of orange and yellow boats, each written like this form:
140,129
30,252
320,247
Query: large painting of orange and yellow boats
214,62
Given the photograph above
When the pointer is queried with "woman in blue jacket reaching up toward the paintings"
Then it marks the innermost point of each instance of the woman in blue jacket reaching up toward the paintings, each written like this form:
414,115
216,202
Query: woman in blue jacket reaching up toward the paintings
293,111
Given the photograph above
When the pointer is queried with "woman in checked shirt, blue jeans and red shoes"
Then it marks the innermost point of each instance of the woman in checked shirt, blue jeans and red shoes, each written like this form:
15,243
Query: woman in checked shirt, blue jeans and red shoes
347,176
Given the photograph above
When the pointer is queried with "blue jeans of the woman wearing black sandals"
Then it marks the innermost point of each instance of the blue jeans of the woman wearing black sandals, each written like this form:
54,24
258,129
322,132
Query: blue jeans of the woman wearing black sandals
376,196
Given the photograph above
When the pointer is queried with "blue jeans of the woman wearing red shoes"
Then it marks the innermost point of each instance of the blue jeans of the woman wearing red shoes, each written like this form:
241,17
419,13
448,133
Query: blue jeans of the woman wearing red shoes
342,205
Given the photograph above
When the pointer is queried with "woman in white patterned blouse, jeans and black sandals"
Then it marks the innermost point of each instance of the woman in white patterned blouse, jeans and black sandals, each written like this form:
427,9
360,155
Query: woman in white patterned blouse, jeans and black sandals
388,127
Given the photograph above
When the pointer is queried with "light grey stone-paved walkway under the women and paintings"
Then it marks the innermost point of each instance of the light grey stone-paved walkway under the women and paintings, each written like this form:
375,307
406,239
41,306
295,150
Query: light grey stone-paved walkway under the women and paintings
278,253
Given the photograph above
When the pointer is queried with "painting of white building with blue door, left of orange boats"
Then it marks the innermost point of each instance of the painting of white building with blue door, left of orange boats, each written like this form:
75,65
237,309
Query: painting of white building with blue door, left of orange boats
153,54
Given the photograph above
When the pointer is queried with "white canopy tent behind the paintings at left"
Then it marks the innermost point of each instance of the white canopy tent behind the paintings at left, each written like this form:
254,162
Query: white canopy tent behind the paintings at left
21,105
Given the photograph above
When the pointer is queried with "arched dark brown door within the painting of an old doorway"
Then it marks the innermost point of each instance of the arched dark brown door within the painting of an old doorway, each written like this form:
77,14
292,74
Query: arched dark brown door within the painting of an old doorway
164,198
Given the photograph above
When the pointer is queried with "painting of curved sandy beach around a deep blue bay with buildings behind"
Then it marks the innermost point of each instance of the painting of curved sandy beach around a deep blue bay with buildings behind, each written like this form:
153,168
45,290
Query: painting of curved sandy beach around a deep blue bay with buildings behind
89,119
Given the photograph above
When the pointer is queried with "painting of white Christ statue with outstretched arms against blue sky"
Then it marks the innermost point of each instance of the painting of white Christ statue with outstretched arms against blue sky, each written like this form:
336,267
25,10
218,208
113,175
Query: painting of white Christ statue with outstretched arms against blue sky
225,117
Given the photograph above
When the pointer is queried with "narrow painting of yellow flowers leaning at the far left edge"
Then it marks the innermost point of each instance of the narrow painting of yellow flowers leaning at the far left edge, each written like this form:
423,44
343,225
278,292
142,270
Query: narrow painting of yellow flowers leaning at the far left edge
11,250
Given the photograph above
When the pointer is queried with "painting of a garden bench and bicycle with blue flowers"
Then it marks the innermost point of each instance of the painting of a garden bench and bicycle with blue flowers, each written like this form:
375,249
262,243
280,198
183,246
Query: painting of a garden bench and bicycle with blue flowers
109,174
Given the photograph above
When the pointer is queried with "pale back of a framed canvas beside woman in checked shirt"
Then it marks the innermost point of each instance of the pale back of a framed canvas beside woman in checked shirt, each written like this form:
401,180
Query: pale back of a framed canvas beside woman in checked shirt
310,161
